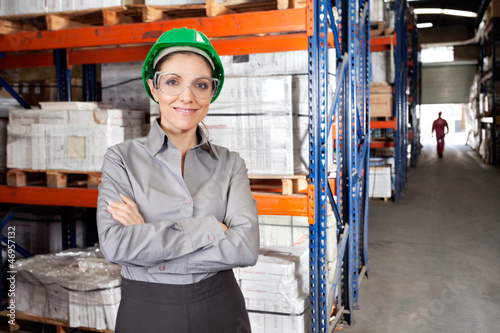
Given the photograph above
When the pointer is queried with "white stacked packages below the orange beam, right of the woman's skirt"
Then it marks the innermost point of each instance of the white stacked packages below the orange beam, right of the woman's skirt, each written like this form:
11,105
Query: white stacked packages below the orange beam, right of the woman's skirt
276,290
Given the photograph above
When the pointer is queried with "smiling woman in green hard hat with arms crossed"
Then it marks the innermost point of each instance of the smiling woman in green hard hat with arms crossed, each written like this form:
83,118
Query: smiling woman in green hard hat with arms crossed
174,210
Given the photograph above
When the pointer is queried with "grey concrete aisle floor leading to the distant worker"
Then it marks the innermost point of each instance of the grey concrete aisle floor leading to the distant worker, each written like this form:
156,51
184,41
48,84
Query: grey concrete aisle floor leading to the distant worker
434,257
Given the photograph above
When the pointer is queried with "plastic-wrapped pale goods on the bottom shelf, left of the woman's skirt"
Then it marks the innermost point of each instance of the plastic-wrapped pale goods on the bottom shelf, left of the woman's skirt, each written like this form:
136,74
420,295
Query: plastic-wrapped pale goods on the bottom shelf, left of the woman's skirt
80,287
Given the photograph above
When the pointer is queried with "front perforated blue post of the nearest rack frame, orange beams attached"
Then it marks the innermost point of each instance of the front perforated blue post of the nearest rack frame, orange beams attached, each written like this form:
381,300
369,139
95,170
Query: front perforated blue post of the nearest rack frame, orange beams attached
318,177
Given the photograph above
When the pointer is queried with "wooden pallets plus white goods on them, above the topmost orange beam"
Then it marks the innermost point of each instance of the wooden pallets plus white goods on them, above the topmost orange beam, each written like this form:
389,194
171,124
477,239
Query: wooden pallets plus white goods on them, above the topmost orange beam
28,15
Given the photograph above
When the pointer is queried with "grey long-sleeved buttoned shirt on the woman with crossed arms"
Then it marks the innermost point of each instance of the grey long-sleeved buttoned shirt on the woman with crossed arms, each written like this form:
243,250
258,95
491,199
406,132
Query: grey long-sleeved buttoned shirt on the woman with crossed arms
181,241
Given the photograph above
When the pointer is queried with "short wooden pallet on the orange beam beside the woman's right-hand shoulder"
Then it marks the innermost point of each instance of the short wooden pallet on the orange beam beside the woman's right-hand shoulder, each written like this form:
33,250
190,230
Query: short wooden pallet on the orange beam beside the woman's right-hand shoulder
285,185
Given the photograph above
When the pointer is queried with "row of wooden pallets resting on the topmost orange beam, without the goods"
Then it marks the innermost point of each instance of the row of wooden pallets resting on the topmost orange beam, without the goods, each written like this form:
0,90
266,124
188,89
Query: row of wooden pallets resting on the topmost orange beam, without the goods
135,14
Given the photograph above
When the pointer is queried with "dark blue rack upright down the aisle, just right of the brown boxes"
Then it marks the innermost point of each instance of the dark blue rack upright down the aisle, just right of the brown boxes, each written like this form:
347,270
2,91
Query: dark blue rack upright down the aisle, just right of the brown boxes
401,99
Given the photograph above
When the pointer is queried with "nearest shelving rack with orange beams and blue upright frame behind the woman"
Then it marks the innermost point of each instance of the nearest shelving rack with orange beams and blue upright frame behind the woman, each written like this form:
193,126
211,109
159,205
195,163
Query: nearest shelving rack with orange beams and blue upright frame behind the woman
272,31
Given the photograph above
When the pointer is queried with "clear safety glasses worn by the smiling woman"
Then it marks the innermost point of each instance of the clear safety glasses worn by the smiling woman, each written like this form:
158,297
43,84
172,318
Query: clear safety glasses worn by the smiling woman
173,84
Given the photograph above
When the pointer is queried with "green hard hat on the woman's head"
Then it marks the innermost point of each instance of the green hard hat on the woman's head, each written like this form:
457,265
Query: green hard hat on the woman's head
182,37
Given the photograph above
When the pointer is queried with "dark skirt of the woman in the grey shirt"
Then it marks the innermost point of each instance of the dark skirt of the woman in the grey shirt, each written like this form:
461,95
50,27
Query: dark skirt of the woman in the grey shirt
214,305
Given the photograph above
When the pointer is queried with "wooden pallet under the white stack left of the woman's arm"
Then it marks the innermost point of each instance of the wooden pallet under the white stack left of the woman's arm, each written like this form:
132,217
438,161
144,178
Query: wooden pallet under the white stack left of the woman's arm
53,178
